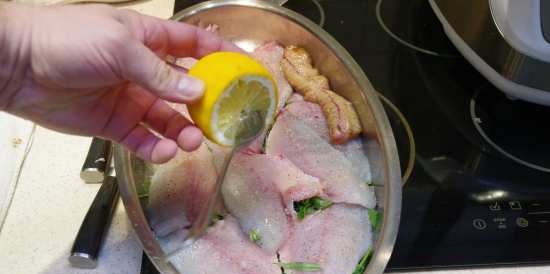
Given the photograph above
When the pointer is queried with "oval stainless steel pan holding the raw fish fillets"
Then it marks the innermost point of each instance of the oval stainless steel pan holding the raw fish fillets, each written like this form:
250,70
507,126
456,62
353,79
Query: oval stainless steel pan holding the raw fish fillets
250,23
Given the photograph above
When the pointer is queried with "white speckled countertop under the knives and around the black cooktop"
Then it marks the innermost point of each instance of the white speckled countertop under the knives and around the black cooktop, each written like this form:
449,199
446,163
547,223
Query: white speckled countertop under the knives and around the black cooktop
50,202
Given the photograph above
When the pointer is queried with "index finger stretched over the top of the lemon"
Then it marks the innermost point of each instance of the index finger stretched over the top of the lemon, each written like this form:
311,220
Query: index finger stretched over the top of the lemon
174,38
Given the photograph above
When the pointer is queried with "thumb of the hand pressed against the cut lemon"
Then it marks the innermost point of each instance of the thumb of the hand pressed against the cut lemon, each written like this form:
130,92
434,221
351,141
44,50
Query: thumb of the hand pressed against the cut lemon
141,66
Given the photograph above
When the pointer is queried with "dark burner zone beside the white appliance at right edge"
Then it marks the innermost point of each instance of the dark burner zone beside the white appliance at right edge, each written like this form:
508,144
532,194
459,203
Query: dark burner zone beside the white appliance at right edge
512,128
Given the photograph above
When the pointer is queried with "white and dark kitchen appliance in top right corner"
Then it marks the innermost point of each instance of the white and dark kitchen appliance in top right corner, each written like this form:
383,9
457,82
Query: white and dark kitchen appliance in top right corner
508,41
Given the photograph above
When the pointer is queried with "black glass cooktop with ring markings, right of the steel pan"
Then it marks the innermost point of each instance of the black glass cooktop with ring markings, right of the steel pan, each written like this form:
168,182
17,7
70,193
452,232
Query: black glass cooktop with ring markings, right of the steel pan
479,192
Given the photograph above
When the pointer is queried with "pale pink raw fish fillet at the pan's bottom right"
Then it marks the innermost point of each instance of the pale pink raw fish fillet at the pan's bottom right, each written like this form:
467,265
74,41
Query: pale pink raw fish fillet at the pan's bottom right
335,238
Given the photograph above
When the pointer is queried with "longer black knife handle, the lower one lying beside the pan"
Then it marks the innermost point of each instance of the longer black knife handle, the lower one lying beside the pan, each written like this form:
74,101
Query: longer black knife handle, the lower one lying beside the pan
88,242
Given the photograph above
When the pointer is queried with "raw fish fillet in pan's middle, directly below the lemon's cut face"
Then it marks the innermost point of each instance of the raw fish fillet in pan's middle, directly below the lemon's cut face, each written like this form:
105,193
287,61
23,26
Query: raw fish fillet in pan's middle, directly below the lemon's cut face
259,190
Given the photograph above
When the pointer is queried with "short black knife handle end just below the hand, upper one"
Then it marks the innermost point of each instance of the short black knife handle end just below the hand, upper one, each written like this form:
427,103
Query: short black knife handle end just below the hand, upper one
94,167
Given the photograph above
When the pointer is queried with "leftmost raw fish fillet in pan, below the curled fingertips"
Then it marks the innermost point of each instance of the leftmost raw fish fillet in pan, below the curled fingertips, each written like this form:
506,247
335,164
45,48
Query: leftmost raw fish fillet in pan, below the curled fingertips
179,188
